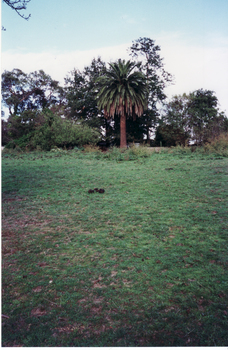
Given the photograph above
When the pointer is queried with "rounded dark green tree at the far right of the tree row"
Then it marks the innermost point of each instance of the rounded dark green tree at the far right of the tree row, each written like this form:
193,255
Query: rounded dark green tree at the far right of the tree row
194,117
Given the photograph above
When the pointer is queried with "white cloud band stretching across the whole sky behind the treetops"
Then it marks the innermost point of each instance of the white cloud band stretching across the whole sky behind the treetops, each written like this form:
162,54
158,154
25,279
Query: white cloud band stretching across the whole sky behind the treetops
194,67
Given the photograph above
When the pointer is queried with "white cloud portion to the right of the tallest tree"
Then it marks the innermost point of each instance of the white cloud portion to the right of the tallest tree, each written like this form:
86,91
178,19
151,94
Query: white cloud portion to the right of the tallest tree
196,67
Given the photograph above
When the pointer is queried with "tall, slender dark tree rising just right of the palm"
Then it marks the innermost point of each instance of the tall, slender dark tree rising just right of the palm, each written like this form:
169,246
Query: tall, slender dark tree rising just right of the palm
145,50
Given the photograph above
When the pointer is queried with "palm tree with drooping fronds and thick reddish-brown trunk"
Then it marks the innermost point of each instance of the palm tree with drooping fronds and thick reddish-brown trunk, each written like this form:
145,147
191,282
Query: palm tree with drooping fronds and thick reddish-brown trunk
122,91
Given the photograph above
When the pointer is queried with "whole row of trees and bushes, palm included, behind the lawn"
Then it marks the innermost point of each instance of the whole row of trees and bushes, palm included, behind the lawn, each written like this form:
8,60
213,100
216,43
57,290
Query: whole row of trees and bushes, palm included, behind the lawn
119,102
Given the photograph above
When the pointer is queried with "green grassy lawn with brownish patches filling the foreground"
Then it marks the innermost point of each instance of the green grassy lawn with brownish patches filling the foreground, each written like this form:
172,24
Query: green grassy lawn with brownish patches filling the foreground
143,264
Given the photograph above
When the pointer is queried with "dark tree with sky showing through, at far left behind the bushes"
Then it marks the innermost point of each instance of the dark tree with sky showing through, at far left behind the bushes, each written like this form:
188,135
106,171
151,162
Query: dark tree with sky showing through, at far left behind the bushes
26,95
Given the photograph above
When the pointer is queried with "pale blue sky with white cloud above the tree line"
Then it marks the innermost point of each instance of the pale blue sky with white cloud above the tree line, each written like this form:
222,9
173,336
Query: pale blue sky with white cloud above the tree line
64,35
